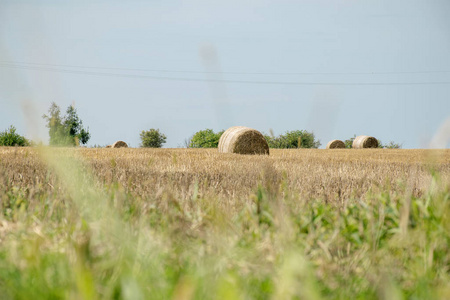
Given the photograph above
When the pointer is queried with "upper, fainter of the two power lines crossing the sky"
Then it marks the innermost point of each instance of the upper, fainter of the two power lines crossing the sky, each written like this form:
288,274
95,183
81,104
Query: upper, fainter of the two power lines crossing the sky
232,73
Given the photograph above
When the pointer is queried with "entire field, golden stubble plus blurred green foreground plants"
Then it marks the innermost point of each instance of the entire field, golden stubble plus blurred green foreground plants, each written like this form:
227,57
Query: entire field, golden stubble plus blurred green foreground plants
197,224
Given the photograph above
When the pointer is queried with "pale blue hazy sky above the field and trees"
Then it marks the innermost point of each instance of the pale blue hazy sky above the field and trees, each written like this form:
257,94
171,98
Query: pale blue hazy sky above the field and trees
336,68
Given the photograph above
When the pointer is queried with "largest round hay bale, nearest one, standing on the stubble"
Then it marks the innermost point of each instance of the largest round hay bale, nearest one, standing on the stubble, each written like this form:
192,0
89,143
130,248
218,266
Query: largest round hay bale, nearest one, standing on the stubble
243,140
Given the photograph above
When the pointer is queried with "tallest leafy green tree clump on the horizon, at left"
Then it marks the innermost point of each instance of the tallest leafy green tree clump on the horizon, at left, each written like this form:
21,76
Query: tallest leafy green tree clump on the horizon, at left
67,130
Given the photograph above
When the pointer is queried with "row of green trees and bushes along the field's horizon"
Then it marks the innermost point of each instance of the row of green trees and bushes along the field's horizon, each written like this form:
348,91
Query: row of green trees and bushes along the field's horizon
68,130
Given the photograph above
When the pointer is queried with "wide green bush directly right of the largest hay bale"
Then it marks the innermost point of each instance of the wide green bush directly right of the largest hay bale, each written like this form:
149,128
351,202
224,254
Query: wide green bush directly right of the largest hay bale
293,139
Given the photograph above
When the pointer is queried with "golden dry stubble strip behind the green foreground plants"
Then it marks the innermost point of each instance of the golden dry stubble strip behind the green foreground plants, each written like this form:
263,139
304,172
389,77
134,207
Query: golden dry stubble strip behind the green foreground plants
334,176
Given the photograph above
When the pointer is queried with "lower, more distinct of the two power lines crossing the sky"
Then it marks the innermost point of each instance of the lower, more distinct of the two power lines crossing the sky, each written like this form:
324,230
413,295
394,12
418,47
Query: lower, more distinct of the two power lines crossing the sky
67,71
